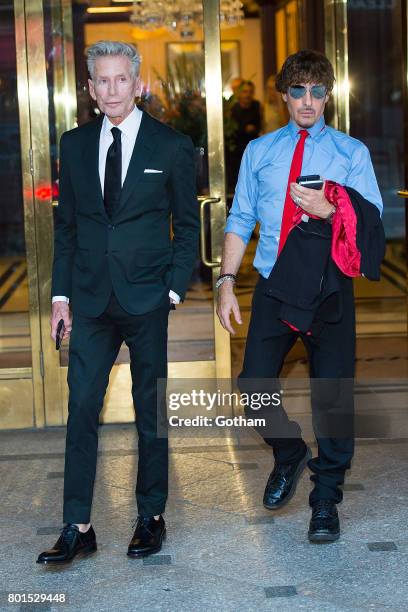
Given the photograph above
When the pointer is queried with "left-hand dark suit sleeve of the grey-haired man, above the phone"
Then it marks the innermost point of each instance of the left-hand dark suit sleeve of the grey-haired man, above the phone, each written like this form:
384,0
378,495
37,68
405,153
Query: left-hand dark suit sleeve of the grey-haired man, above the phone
64,229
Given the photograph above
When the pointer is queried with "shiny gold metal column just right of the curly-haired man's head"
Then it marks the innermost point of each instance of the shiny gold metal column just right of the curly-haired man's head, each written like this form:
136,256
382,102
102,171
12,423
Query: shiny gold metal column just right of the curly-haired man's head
335,15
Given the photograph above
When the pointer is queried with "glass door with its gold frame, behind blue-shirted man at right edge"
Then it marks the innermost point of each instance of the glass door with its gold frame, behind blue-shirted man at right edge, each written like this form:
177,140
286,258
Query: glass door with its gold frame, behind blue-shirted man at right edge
370,104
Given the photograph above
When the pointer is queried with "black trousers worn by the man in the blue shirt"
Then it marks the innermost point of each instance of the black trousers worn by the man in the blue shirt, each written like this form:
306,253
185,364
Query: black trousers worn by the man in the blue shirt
331,352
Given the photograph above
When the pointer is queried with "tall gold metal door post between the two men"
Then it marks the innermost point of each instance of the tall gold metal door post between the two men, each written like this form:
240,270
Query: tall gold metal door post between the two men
216,164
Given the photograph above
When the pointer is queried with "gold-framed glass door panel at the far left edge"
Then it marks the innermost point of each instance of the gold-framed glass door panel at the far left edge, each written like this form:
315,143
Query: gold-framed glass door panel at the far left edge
21,372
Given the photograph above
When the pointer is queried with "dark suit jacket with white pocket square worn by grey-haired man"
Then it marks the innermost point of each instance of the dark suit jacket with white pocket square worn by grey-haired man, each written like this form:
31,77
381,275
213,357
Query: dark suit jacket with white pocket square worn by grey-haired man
133,253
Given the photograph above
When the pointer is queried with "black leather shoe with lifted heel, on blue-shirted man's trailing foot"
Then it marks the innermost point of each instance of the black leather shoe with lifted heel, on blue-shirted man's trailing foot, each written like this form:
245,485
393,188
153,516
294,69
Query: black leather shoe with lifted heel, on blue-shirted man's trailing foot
281,485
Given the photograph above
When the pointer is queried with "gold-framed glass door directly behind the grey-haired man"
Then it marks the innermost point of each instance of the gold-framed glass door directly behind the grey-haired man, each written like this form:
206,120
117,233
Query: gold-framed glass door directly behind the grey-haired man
182,86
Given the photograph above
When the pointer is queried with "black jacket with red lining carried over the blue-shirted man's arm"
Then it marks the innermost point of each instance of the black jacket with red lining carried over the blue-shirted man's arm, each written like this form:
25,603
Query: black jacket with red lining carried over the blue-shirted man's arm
306,280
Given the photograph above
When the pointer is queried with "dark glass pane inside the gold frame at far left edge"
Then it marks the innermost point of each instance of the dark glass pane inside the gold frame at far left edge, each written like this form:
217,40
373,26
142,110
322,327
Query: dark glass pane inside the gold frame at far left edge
15,342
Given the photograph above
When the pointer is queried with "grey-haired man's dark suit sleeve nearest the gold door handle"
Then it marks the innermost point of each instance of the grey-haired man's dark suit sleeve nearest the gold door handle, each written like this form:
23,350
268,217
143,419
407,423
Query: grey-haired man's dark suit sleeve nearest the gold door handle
185,216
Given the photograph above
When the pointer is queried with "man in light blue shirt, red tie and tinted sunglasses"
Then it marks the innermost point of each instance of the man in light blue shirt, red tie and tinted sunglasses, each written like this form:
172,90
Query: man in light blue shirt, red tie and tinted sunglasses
305,82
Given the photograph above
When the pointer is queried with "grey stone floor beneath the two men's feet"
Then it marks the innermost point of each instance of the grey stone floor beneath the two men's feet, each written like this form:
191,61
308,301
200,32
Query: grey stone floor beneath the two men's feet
223,552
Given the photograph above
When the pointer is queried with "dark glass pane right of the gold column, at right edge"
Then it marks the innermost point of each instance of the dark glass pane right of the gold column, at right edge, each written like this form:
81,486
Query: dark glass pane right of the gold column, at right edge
377,118
